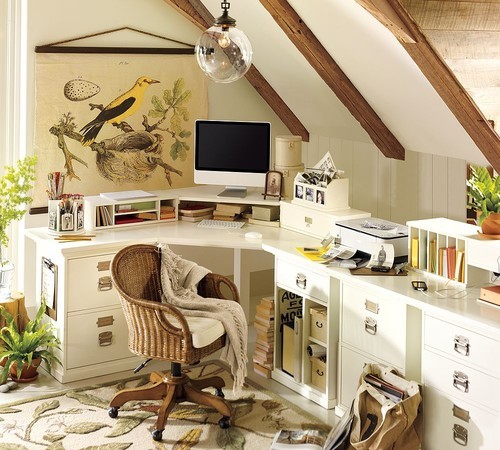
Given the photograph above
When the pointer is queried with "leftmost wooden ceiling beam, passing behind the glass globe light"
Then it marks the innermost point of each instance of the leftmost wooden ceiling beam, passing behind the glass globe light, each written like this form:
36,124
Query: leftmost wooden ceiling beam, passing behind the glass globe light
196,12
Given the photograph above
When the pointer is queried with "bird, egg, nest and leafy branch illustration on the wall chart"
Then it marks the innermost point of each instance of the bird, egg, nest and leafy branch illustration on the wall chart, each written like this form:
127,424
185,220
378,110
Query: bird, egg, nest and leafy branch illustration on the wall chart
132,155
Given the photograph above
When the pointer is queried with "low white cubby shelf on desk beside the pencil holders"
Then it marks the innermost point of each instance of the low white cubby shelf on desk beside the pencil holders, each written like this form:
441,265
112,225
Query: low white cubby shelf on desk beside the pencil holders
103,213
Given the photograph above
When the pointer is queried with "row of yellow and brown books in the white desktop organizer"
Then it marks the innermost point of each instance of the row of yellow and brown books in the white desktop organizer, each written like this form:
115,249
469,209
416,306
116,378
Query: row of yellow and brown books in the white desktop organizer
448,262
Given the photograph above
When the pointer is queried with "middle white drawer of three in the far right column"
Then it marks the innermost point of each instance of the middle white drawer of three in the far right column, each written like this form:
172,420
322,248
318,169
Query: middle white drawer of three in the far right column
461,381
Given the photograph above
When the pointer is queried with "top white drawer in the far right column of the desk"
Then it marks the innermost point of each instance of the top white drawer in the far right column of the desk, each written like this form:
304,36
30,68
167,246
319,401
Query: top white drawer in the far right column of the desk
462,344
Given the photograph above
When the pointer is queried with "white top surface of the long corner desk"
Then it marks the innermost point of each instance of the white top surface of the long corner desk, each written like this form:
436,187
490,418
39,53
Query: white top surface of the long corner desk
456,303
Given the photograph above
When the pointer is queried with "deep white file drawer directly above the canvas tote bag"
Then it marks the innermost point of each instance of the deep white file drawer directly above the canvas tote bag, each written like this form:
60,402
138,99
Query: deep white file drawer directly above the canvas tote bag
374,325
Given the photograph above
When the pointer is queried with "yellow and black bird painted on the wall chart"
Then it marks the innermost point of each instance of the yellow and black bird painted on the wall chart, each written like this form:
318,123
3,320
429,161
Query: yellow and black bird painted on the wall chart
123,106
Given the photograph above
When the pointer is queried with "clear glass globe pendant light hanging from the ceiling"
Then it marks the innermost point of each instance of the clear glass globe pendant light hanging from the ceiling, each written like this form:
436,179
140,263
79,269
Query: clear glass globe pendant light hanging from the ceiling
223,52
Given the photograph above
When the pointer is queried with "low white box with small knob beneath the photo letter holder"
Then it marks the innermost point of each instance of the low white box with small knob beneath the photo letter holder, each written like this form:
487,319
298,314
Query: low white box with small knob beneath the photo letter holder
314,222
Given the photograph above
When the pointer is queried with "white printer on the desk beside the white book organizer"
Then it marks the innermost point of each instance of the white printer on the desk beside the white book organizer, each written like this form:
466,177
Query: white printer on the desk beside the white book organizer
361,234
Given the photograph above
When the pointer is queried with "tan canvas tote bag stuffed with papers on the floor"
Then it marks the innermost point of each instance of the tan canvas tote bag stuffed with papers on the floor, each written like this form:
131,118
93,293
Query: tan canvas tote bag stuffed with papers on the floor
382,424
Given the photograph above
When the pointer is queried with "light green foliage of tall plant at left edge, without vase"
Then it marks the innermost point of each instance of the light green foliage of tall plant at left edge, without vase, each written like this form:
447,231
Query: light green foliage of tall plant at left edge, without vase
15,185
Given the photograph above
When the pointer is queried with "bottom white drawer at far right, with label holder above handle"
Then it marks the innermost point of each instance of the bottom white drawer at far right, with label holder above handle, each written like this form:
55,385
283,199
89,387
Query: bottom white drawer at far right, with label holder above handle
452,424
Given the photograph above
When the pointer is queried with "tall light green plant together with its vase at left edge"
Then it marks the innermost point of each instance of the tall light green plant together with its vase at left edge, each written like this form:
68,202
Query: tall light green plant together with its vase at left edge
14,187
